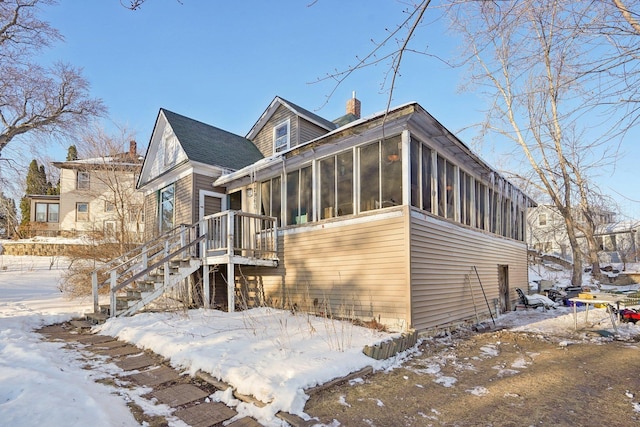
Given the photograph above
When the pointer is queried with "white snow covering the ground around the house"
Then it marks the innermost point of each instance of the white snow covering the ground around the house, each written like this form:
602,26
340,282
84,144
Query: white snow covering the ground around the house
268,353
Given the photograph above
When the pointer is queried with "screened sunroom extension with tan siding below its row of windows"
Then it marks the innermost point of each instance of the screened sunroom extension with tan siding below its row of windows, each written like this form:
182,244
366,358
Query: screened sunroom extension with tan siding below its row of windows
389,217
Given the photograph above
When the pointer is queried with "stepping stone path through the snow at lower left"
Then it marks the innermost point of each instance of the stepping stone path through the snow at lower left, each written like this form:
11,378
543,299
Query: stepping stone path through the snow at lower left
187,395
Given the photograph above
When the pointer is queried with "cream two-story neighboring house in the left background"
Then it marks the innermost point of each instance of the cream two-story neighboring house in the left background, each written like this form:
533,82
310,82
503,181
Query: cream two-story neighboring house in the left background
98,195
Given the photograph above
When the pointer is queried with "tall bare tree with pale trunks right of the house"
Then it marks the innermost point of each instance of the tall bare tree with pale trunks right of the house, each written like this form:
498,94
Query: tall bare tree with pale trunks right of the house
527,57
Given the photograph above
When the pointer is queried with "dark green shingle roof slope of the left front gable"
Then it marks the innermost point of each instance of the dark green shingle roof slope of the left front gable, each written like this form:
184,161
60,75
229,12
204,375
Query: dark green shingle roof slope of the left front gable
207,144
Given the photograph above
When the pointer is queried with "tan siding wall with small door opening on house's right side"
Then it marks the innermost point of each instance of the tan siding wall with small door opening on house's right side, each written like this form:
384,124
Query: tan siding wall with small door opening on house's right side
442,274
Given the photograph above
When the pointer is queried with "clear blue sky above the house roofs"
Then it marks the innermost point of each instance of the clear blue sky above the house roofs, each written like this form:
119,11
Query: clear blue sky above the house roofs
222,62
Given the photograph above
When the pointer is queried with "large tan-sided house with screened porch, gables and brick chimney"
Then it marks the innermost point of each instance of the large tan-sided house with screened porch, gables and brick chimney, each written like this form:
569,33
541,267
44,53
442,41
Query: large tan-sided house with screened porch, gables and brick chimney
387,217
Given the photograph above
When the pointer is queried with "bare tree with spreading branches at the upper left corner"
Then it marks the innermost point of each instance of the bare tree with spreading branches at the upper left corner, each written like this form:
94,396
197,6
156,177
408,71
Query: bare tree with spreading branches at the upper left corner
45,101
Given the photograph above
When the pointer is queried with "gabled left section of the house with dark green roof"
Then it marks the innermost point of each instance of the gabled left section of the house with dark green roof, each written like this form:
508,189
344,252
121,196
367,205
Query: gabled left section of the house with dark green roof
183,159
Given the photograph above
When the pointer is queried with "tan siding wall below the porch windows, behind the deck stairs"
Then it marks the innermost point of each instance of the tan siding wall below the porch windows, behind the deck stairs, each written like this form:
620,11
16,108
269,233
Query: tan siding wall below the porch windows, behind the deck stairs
359,267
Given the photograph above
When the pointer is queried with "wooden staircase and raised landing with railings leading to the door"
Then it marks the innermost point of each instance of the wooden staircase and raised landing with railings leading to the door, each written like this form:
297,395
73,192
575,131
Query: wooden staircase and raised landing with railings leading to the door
160,266
